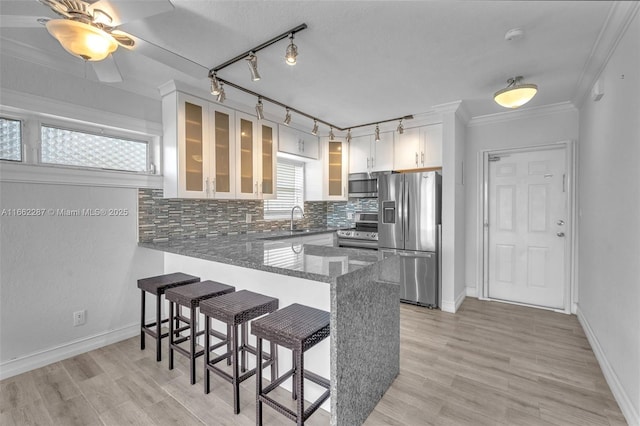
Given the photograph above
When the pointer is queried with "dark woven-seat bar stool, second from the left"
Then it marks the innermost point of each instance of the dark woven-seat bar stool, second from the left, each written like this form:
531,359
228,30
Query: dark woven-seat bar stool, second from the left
190,296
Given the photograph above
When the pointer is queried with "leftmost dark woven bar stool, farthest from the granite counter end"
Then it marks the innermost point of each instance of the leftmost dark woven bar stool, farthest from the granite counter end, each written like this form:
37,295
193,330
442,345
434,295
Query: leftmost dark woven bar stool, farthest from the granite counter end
157,286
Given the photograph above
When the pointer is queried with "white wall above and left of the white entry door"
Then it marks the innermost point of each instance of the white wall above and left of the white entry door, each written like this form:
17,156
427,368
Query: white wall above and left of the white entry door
509,130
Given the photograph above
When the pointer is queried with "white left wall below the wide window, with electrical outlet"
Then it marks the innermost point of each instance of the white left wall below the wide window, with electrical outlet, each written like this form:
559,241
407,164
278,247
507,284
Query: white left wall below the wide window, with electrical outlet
54,265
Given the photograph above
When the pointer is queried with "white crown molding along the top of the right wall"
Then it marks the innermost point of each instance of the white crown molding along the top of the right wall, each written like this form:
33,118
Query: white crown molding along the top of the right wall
620,16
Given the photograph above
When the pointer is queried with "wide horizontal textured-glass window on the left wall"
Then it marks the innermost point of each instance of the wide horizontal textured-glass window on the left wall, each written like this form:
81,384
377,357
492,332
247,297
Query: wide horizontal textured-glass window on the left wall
74,148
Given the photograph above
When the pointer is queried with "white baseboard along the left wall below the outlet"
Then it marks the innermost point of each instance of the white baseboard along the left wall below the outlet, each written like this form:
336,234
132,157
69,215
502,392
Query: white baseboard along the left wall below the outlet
40,359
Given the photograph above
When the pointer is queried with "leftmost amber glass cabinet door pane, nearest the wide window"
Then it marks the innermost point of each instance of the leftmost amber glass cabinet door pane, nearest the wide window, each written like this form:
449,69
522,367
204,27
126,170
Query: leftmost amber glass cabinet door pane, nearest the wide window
194,166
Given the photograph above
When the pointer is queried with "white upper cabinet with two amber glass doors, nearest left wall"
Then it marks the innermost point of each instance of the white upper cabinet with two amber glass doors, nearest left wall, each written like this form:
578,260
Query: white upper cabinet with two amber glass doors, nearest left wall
198,148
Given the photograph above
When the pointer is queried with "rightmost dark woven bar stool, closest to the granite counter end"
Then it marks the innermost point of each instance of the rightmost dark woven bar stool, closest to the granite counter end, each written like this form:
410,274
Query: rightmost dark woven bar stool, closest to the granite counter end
296,327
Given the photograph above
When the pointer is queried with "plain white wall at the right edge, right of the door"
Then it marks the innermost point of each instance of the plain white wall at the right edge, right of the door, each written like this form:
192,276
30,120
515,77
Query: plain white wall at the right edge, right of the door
609,223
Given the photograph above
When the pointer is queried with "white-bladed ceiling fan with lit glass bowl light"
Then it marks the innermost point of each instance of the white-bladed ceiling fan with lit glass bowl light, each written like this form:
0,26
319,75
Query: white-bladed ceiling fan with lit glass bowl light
87,29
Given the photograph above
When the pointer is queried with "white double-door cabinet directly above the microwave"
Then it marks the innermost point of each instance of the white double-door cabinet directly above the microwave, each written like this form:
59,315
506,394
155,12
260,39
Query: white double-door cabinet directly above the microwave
367,155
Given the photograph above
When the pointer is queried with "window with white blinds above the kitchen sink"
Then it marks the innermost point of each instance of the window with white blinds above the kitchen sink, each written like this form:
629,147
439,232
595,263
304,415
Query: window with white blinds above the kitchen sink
290,187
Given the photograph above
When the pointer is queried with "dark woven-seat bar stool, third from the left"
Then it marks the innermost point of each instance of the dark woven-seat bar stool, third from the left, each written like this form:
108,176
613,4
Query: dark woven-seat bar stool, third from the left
236,309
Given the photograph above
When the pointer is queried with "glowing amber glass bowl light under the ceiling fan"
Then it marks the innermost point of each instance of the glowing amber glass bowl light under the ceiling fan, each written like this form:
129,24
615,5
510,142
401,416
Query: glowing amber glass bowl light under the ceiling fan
82,40
